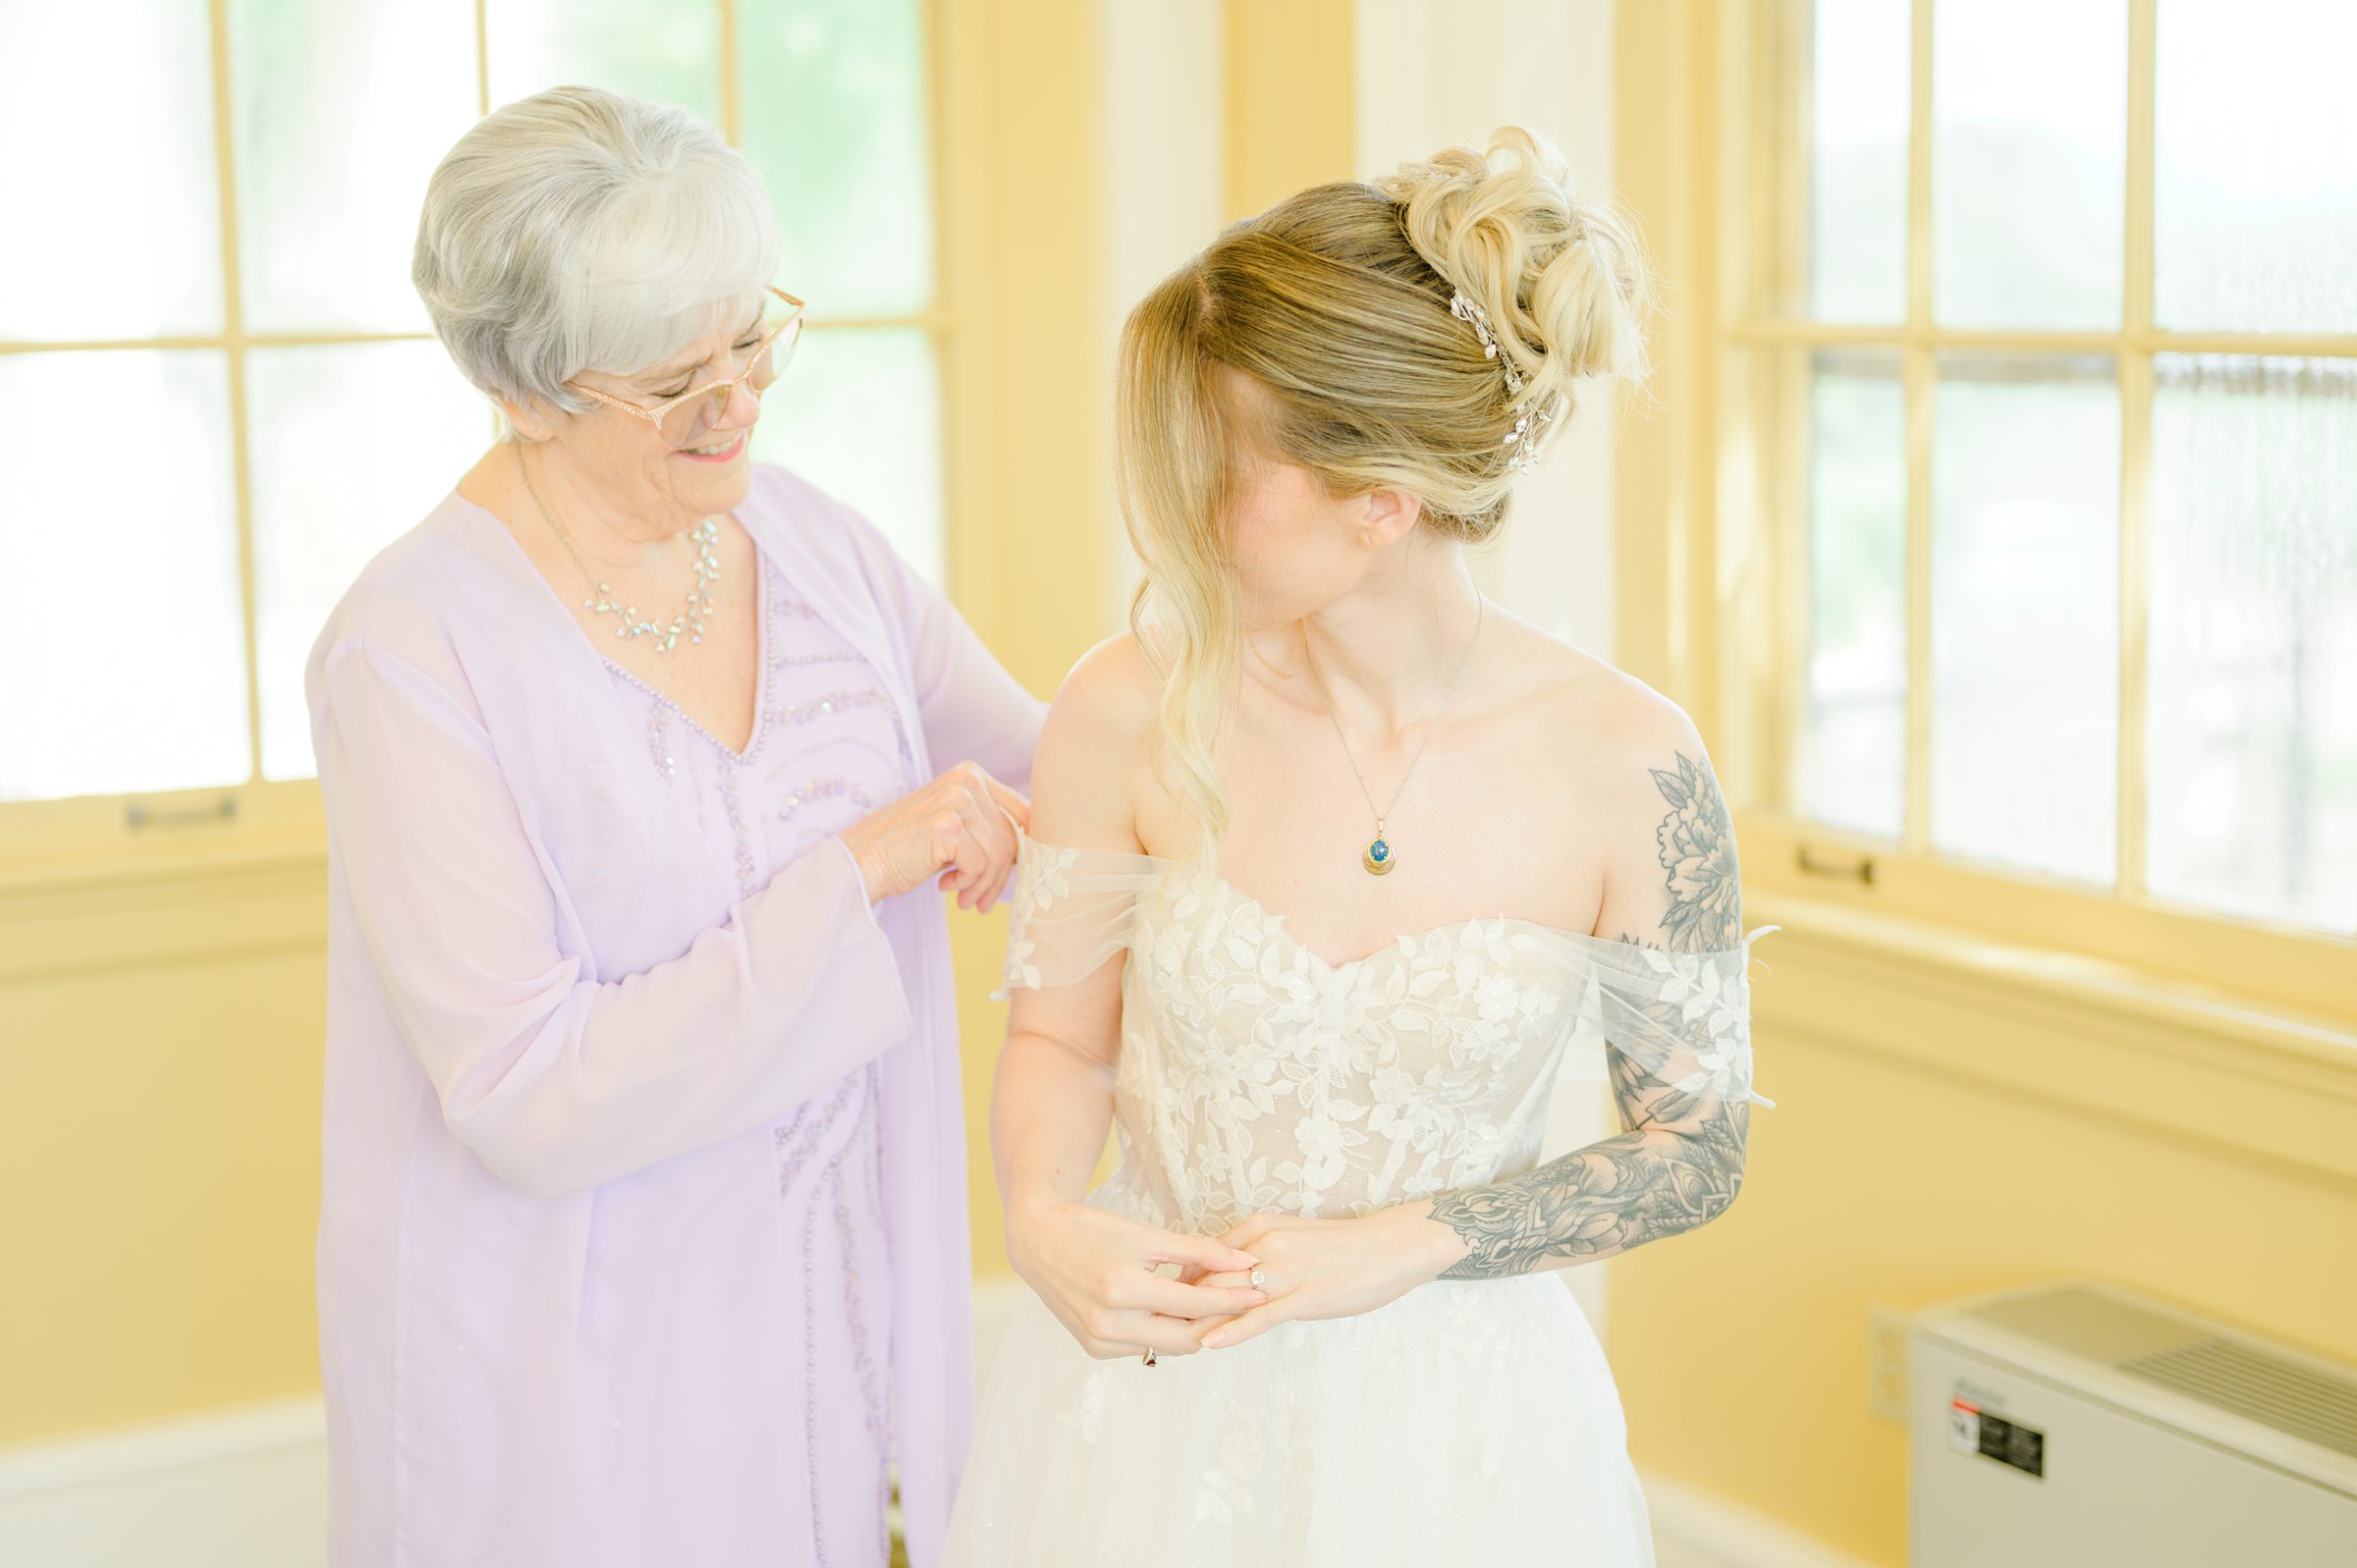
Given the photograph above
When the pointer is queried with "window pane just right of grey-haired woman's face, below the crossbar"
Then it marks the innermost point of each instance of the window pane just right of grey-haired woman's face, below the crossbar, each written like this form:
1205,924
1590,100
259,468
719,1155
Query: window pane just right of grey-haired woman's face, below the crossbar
859,416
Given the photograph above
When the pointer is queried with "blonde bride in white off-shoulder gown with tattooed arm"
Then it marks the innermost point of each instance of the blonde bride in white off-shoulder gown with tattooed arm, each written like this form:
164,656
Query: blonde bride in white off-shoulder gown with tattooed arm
1333,867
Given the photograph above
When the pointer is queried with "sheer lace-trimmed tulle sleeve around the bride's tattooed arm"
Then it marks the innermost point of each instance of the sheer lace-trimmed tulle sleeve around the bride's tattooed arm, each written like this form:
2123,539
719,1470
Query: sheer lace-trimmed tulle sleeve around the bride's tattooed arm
1682,1017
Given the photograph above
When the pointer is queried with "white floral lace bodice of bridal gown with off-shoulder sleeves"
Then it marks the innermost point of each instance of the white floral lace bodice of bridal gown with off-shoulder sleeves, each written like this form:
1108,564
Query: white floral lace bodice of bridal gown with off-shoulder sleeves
1262,1079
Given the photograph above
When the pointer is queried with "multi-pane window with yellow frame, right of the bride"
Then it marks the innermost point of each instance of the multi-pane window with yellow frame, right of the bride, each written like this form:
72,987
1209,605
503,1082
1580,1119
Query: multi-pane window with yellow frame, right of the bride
2047,395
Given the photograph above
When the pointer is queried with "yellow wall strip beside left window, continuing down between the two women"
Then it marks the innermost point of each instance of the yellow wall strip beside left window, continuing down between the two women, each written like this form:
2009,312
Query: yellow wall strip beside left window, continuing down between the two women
1026,421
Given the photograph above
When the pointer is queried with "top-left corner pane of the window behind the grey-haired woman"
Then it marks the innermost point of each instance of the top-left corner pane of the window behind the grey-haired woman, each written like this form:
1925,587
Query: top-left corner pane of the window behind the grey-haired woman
110,159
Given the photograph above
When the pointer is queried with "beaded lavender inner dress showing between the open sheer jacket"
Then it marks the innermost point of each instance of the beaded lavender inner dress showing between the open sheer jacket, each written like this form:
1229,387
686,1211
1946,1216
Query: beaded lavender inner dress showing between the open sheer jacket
826,751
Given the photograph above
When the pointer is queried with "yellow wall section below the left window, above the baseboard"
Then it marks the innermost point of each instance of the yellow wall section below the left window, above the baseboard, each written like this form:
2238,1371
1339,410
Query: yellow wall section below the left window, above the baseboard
159,1149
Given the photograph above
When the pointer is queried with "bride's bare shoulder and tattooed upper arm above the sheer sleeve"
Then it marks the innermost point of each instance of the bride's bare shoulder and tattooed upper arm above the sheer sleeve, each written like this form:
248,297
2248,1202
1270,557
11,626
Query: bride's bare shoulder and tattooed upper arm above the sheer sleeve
1649,791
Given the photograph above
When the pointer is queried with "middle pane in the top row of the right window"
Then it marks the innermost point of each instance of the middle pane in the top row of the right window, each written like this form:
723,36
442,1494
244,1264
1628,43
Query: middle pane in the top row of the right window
2028,162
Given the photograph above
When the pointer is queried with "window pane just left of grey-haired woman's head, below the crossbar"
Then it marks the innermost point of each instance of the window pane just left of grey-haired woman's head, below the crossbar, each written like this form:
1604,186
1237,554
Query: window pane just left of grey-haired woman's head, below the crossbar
352,444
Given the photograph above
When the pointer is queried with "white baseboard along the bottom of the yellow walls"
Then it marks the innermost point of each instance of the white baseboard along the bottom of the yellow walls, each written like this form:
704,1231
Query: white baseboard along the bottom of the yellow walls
249,1489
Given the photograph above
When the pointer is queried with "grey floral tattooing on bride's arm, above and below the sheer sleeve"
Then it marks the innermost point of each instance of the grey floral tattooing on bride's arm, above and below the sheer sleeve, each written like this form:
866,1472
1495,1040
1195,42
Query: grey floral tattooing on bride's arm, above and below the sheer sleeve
1679,1157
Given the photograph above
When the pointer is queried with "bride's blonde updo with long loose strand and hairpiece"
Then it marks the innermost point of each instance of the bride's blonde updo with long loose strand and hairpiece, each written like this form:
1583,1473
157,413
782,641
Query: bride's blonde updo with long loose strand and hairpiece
1338,305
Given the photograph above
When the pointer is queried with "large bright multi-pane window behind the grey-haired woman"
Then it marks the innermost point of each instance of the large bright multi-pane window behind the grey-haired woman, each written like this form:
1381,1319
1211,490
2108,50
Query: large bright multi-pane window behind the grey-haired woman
220,395
